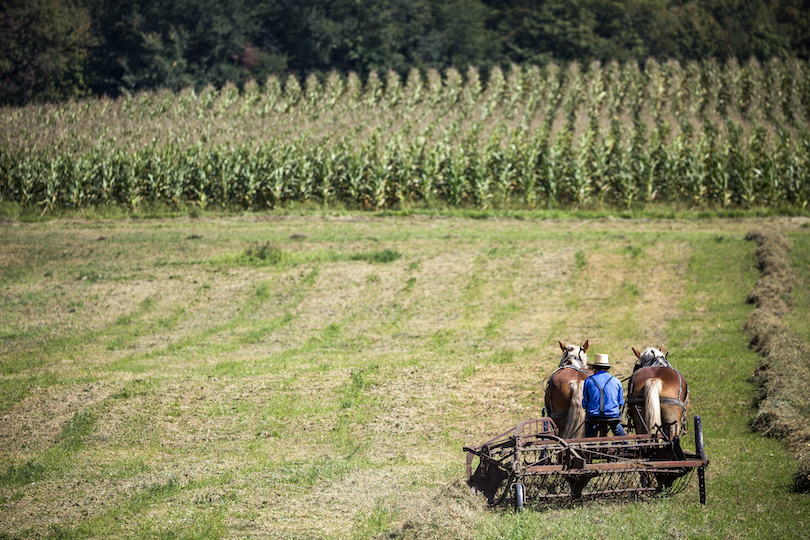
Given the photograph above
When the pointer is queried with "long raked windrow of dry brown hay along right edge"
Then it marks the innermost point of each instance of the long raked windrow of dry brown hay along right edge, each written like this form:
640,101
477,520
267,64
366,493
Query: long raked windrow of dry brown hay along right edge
783,375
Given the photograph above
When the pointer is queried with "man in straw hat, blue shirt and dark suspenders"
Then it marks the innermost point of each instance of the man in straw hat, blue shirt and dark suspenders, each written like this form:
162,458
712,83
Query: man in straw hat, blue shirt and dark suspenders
602,398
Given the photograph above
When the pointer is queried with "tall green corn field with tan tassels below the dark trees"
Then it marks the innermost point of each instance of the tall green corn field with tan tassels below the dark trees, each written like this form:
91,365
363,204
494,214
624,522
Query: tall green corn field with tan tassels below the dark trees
703,134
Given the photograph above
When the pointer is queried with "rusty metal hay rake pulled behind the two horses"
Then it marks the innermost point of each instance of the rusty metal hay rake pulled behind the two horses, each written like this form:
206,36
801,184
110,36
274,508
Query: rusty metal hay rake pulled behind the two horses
531,463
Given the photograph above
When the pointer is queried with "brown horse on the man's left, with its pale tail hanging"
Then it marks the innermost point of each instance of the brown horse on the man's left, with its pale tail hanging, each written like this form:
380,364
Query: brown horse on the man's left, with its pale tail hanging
564,391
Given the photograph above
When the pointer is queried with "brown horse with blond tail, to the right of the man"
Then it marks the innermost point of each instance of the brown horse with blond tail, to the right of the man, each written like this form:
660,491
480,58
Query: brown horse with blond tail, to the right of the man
658,396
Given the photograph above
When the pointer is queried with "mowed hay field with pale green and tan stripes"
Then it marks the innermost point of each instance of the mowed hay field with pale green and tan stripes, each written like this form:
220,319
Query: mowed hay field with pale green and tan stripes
316,376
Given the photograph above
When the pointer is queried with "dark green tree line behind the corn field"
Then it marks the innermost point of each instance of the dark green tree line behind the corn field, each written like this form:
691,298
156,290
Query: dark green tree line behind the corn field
61,49
